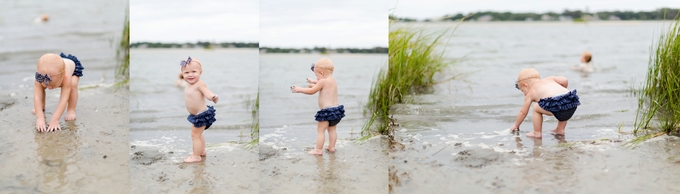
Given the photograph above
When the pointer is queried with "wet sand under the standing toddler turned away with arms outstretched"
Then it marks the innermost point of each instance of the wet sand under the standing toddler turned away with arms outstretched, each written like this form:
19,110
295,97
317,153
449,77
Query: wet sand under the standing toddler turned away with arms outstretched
353,168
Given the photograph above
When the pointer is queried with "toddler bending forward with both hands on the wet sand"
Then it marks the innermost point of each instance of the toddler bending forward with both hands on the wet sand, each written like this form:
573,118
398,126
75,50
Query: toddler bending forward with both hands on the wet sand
56,71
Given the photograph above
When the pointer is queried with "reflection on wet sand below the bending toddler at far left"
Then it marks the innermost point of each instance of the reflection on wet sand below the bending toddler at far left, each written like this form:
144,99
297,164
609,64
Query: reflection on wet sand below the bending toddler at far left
59,152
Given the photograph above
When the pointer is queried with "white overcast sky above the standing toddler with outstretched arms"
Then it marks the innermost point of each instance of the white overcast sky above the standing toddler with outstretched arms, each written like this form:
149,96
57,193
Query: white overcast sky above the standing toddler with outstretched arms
309,23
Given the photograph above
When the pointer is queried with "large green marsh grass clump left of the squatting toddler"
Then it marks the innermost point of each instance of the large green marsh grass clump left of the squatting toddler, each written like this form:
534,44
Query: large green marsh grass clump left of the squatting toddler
414,59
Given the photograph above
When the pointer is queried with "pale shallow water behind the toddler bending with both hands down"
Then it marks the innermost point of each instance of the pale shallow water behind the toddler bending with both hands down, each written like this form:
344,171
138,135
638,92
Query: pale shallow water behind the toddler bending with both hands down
90,31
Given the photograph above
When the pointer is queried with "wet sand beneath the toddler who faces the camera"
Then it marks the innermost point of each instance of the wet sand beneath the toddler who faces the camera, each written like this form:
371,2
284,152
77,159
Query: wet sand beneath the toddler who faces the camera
227,168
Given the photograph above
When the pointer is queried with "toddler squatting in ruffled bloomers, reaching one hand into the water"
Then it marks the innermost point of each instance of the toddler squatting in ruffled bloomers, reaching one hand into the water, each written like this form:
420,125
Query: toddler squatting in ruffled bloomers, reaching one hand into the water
553,99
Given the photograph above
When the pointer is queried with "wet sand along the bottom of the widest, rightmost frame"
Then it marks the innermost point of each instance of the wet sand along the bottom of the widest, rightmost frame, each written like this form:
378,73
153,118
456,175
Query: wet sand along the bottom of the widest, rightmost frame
577,167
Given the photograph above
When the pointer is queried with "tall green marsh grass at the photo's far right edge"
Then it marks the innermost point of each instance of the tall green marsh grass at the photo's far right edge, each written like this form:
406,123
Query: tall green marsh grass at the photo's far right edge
659,97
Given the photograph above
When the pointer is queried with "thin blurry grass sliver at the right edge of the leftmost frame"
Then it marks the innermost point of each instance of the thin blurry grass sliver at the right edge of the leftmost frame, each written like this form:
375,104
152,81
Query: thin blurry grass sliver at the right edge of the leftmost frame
123,54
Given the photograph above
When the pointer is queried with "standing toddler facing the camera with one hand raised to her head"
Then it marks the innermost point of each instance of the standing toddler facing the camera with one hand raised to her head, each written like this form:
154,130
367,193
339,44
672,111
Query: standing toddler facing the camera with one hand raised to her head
201,115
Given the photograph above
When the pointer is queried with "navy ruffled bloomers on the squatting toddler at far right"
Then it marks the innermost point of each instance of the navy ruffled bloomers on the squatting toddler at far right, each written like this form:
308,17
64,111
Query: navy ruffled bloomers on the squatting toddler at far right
562,106
